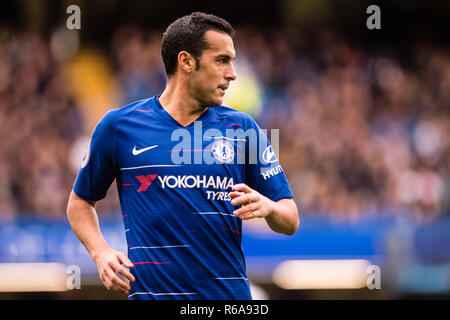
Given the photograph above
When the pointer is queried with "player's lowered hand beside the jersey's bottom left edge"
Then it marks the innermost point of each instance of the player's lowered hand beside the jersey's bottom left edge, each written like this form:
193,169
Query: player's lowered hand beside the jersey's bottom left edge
109,263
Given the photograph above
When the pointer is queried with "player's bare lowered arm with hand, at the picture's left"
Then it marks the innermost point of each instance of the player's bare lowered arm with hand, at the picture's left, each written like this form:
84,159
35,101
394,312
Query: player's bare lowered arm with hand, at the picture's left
84,222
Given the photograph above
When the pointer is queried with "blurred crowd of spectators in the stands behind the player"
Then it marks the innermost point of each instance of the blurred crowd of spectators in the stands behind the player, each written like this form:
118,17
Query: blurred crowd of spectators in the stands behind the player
362,132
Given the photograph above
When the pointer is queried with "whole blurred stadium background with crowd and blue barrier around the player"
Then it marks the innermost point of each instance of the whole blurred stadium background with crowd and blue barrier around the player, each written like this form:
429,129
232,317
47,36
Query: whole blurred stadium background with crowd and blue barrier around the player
364,119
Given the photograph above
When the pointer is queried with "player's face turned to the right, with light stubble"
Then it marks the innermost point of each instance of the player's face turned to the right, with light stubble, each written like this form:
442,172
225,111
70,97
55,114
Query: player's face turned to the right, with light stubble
209,82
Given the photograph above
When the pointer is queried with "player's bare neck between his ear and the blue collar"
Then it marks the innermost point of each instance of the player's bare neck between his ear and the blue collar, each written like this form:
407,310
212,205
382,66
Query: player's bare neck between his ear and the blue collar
181,106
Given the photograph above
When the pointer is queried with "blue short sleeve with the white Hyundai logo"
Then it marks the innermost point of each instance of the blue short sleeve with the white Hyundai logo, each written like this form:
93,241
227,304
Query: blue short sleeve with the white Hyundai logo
263,170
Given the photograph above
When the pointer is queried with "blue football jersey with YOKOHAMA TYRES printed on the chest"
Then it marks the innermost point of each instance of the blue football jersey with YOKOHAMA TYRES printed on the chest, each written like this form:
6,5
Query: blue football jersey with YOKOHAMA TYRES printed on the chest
174,184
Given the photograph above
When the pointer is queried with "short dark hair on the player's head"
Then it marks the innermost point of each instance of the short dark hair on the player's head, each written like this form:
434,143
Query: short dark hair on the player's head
188,34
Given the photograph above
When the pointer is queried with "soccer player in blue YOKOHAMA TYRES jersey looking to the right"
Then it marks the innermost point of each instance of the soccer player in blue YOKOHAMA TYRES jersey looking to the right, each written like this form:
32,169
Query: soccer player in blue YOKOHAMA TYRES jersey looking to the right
183,219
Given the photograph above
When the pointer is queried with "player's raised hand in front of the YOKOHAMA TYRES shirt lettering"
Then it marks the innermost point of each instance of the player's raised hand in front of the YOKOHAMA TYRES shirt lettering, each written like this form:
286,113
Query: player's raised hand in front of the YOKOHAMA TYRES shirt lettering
254,204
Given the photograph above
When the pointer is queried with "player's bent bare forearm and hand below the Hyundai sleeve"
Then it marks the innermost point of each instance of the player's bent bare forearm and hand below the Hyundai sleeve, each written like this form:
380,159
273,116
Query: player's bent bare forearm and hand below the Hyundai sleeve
281,215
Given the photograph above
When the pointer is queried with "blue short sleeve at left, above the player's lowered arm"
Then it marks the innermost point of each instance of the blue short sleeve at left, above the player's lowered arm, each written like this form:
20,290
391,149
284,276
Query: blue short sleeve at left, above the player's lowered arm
98,168
